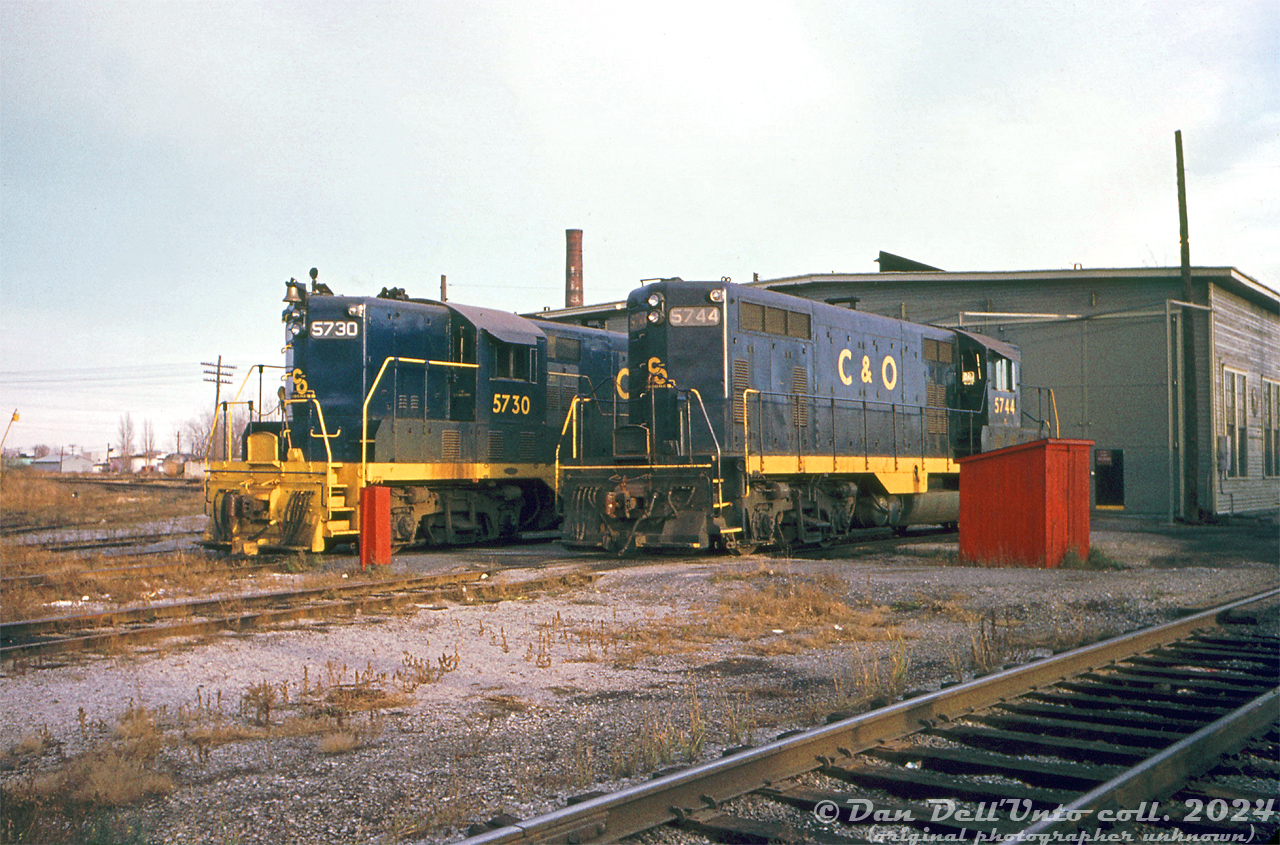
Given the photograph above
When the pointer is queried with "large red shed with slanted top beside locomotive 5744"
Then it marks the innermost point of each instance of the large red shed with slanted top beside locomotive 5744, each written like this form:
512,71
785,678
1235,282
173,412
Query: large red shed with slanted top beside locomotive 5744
1026,505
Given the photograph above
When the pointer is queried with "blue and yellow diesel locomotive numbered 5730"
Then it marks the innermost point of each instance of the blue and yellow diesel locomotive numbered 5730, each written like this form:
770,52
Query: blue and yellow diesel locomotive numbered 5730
459,410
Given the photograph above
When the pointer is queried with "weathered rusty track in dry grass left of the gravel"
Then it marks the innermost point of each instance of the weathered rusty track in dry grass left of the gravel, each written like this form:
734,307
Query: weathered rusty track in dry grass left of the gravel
150,623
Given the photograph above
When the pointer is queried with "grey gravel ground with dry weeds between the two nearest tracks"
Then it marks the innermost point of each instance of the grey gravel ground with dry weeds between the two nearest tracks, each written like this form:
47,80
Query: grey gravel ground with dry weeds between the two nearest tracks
415,725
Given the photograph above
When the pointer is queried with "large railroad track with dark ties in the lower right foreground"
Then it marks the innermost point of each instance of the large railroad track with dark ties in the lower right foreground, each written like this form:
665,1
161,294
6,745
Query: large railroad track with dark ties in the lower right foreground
1167,728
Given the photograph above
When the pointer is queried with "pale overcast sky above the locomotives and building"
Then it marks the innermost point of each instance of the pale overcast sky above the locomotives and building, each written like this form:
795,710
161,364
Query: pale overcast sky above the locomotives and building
168,167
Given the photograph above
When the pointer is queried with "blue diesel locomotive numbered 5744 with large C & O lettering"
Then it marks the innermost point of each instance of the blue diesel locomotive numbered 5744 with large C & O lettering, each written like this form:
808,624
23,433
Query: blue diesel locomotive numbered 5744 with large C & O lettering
757,418
